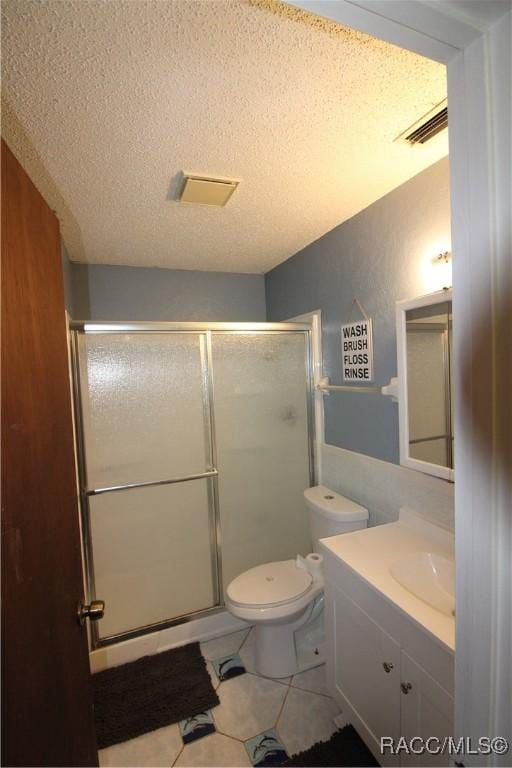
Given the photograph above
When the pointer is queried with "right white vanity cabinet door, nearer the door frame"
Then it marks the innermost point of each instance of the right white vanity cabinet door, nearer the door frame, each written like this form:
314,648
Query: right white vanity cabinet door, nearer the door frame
426,711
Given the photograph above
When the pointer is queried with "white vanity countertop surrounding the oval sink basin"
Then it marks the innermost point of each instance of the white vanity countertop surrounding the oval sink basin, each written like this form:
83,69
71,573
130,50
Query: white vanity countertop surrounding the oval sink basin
370,552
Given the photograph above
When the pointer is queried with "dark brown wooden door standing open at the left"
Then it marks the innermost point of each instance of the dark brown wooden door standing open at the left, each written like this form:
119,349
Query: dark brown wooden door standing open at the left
47,714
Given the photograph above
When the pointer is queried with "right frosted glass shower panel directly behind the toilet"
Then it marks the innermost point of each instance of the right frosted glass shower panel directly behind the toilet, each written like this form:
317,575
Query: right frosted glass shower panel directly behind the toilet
261,418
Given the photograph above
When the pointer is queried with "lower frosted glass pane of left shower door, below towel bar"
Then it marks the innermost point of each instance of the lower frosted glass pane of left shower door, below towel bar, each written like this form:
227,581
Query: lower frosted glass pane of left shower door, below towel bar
152,554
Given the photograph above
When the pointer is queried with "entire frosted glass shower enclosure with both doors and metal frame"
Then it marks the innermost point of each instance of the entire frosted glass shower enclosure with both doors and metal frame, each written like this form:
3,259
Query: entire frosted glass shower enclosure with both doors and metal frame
195,443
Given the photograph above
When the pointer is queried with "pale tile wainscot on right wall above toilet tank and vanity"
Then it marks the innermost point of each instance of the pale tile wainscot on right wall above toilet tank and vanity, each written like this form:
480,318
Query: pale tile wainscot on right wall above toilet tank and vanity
383,487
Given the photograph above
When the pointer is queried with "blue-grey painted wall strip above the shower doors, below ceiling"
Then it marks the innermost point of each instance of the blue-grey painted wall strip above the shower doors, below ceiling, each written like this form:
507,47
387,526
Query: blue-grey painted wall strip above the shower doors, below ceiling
100,292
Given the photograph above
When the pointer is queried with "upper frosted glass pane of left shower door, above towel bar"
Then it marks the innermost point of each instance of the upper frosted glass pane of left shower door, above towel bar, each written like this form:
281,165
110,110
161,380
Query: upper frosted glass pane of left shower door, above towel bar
143,407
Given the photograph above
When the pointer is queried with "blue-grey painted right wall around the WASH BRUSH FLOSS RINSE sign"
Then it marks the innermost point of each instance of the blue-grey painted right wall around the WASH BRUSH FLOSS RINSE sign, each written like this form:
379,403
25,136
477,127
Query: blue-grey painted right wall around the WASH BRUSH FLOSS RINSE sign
381,255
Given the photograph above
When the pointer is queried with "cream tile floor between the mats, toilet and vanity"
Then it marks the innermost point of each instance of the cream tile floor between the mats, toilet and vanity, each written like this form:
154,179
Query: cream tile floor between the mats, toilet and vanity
292,714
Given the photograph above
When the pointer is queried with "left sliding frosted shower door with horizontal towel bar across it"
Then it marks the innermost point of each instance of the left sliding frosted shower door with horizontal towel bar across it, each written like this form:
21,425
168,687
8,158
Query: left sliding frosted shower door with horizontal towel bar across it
147,464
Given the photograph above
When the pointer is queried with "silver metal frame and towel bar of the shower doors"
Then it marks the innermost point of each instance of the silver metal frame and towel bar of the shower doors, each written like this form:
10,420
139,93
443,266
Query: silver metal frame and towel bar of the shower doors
203,330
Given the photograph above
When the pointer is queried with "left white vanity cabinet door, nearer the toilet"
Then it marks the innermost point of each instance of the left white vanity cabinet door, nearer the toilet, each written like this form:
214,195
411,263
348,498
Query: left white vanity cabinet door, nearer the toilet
366,672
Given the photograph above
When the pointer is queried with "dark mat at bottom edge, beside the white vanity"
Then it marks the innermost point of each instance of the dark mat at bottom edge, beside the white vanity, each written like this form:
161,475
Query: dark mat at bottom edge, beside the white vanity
344,748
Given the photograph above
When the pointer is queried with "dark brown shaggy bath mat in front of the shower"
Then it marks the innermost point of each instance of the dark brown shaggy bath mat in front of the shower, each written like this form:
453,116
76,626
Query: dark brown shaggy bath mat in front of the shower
150,693
